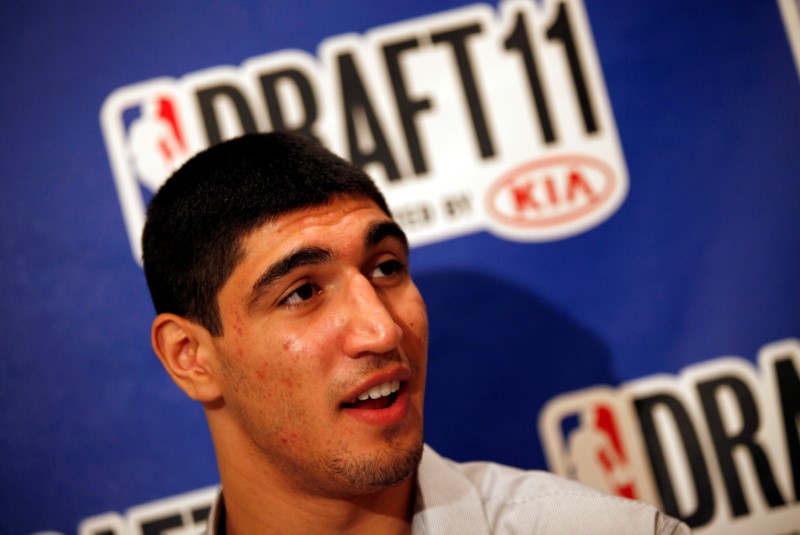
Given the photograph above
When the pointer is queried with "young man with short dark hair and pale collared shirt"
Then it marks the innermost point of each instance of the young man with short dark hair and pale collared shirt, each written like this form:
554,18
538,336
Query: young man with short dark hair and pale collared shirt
285,307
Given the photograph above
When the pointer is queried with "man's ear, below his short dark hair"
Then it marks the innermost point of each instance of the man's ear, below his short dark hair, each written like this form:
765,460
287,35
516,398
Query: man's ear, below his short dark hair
186,351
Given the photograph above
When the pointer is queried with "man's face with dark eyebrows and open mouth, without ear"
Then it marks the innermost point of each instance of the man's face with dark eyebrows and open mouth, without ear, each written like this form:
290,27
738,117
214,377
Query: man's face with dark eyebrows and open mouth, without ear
320,314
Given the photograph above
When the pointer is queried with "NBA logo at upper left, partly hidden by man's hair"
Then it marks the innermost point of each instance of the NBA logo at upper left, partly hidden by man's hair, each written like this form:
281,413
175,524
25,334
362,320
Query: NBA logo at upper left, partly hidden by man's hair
148,135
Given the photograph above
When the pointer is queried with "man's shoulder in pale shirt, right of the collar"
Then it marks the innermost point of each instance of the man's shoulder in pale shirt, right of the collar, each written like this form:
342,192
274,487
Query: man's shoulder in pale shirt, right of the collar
545,503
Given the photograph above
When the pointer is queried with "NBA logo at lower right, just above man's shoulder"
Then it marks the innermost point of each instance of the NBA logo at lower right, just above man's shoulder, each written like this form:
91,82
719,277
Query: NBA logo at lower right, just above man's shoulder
591,436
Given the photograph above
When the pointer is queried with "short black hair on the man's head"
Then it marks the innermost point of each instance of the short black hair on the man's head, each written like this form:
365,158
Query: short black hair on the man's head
196,222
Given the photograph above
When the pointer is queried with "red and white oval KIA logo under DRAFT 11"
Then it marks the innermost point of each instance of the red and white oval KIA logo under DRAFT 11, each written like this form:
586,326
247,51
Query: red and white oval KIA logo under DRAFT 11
552,192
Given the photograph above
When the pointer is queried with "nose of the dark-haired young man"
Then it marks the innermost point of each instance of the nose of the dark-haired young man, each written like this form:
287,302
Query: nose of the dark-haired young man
371,327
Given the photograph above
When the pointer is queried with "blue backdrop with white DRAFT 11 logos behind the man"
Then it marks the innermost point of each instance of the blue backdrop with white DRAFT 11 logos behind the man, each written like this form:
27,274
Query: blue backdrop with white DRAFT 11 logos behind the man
602,199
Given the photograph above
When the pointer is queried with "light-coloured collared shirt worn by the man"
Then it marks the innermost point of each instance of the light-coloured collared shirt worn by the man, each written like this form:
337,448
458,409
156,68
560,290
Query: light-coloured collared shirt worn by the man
480,498
